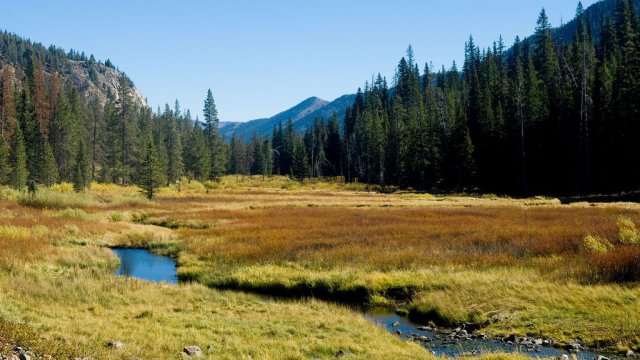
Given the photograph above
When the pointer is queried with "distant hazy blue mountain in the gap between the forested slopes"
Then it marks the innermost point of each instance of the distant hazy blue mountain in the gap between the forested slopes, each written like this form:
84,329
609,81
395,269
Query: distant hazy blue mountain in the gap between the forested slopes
302,116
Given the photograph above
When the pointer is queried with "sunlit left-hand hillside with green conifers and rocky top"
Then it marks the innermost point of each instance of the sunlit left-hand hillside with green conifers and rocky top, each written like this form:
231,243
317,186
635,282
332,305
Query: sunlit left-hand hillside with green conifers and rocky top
68,118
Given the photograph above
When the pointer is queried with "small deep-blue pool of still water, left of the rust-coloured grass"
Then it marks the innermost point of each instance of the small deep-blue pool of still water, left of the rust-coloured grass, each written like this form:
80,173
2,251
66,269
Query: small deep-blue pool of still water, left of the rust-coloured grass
142,264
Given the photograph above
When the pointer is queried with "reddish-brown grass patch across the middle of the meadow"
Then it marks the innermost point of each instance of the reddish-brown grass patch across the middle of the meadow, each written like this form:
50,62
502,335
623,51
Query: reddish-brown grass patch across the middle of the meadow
388,238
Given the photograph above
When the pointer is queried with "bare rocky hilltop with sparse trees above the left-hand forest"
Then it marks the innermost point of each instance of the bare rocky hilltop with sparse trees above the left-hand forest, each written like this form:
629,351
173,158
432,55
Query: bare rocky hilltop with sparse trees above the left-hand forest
94,80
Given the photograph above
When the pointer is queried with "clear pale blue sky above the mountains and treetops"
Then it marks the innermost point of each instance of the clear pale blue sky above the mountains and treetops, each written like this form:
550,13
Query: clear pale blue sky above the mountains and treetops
260,57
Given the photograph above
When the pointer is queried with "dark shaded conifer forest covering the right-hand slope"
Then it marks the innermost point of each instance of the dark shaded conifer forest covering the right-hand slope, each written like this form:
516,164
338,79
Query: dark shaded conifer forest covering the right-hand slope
546,116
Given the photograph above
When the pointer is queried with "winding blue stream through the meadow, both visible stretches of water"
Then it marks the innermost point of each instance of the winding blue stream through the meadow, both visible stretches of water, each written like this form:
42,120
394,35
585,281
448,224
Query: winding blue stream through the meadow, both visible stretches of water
142,264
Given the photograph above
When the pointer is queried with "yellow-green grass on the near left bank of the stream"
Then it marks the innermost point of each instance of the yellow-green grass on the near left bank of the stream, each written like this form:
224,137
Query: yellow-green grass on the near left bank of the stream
63,300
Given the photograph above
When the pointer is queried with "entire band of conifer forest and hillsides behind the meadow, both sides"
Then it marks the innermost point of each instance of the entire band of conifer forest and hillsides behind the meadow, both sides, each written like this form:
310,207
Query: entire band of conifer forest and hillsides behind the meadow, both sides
546,116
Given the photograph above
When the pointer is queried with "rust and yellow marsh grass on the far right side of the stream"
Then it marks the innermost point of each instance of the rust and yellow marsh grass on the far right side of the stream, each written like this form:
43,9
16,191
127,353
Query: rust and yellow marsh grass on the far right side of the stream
514,266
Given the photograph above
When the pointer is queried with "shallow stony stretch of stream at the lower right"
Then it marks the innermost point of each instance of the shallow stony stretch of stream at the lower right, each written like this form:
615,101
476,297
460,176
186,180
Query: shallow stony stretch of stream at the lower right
440,345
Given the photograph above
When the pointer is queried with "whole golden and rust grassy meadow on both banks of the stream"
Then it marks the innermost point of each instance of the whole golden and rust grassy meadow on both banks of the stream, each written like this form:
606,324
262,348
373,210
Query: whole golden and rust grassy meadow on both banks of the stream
530,267
